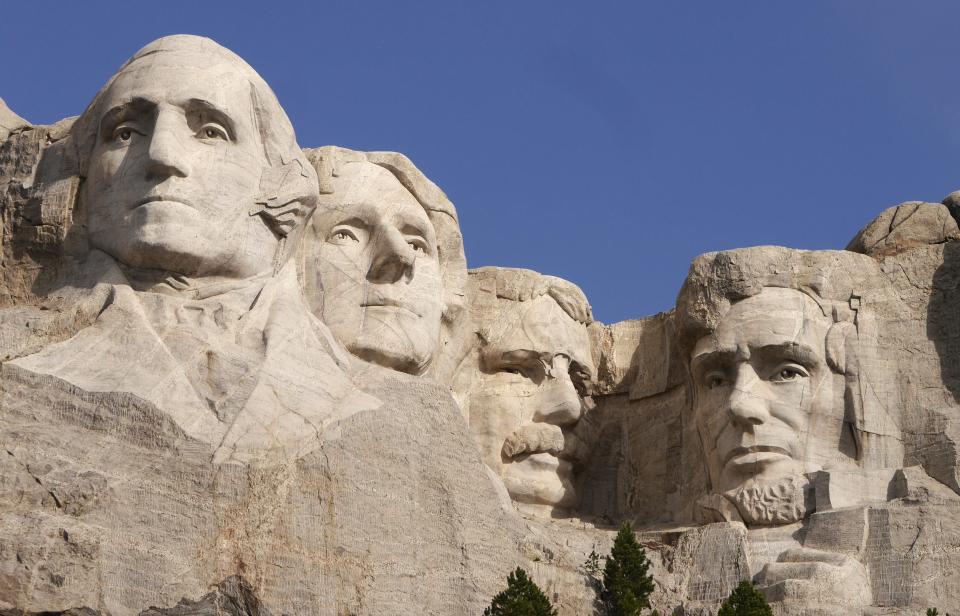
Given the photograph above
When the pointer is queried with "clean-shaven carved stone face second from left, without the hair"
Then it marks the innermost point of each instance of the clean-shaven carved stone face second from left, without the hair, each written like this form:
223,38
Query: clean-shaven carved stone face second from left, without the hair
379,270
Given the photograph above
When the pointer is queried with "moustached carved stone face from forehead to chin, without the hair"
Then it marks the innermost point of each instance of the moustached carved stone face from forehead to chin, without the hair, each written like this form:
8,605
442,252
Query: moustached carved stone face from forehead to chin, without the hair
528,396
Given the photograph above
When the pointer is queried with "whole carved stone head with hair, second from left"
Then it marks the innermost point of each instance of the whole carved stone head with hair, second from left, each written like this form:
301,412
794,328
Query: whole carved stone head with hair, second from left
383,261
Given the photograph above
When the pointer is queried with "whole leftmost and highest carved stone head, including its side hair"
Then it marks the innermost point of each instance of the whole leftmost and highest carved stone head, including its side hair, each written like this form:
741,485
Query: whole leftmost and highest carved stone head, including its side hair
190,164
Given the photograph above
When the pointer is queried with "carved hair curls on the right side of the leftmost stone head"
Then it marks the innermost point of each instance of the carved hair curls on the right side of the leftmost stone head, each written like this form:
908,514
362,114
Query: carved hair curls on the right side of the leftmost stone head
286,197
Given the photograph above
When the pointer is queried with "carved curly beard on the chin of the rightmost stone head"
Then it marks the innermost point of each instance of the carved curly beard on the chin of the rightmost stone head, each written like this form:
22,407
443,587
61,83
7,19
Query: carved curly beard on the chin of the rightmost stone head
777,501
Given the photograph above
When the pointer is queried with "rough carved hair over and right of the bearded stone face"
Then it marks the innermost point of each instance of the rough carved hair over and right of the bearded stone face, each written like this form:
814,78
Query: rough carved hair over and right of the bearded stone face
848,288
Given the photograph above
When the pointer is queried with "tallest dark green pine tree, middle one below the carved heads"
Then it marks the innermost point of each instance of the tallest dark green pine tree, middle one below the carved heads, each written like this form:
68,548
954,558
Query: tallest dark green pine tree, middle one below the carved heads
626,584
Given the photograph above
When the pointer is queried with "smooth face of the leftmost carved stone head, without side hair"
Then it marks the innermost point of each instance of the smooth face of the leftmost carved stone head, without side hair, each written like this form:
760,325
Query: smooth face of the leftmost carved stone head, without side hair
176,168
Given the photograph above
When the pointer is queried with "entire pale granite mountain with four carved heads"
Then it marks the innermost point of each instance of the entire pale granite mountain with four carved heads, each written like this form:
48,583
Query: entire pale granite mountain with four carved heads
240,376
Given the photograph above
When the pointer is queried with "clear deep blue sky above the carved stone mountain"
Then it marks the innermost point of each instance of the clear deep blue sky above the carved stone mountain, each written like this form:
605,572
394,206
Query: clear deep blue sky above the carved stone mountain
605,143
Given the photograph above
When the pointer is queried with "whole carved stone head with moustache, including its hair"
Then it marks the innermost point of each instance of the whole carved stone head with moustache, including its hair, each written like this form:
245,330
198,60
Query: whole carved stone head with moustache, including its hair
534,366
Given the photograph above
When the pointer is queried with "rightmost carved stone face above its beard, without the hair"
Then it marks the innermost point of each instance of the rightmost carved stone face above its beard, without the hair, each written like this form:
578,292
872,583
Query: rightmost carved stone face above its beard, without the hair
767,405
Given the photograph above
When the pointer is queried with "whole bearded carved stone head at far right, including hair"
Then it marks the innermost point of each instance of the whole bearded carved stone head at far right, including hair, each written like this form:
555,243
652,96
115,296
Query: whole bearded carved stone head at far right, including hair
784,372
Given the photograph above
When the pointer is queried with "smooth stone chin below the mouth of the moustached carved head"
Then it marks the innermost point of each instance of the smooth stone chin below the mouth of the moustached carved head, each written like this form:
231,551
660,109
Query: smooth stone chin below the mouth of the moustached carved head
540,479
